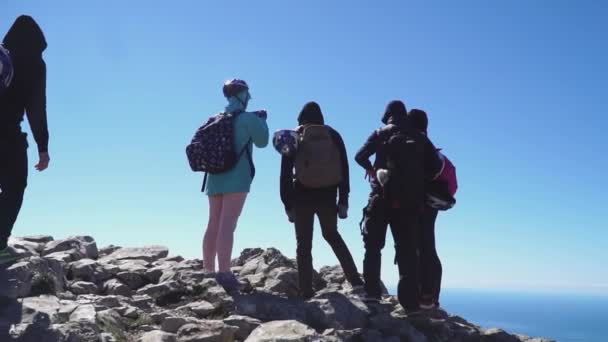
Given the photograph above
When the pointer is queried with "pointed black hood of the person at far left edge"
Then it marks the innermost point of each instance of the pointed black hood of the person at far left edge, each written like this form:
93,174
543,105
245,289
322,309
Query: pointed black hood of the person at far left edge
25,38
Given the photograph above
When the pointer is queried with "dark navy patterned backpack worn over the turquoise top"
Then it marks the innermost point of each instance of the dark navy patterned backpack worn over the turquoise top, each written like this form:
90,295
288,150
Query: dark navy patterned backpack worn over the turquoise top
212,148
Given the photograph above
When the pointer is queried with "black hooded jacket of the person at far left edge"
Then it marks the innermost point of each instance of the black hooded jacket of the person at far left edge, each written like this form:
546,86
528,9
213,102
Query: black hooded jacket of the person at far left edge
27,92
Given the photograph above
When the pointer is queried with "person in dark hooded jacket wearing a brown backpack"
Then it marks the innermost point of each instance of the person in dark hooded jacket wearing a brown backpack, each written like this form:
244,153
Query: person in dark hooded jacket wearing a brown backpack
321,173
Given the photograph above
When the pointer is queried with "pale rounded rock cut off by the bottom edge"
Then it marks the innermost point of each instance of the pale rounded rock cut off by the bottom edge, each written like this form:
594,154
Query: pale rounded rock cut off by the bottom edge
284,331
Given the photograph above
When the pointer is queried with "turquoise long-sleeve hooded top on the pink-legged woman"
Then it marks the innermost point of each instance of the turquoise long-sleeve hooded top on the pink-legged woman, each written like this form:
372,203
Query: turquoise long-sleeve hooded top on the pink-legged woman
249,130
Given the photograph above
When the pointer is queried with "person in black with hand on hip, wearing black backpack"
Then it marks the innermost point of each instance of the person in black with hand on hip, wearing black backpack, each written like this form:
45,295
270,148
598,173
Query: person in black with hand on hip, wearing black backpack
394,207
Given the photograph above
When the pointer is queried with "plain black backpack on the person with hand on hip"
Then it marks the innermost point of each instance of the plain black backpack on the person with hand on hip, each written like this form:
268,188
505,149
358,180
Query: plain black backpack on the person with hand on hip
405,163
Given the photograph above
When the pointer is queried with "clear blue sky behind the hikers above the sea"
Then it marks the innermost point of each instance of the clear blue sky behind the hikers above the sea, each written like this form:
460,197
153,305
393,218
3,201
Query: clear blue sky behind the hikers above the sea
516,93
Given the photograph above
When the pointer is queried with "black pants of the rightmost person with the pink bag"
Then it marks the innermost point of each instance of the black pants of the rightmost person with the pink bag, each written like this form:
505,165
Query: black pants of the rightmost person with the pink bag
430,265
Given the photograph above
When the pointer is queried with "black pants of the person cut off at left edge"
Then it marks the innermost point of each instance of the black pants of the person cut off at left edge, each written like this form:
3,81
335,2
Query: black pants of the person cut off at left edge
13,180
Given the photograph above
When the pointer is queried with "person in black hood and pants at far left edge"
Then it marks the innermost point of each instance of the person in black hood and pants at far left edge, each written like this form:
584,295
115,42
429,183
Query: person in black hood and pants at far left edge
27,93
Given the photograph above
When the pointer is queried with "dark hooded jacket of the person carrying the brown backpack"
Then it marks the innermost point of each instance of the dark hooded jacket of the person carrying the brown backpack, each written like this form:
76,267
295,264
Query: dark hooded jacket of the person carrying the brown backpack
291,189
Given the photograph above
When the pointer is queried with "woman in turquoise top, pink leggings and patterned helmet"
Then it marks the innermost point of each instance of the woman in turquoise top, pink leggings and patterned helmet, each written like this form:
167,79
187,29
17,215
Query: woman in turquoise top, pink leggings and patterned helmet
227,191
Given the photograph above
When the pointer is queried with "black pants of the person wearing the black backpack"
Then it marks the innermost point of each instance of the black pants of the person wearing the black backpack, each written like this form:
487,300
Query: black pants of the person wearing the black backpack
378,215
